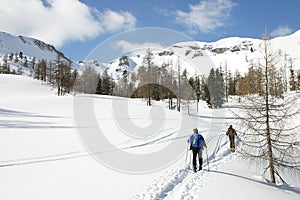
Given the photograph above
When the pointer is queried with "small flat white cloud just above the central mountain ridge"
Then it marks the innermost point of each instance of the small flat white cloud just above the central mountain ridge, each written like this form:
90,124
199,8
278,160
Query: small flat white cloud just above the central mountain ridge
127,46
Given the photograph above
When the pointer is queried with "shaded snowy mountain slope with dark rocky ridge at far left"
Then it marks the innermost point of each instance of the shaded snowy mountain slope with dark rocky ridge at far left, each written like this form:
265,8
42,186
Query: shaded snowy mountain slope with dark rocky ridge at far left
22,51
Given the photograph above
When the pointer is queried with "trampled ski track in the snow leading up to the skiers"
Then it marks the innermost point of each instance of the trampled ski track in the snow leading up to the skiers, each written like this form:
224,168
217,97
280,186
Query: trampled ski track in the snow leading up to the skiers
182,183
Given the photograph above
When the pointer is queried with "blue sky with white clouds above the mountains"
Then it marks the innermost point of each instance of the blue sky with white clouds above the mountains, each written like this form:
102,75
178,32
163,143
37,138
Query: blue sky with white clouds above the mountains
77,27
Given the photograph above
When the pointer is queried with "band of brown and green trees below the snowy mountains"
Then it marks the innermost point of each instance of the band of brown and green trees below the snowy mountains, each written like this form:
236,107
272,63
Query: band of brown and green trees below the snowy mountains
155,82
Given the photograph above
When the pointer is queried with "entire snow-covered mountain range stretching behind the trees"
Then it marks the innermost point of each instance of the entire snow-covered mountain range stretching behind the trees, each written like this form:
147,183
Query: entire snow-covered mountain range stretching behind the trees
234,53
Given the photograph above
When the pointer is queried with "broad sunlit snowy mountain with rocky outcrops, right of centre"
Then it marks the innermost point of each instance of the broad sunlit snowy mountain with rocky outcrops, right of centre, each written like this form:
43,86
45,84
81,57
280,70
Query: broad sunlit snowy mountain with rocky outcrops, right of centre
234,53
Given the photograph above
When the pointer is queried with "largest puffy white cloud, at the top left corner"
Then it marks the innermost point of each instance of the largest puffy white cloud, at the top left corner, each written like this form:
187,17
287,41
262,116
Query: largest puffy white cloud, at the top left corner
60,21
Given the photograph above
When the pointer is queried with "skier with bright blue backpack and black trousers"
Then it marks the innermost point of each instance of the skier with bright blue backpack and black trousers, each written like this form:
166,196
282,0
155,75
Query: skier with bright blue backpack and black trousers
197,143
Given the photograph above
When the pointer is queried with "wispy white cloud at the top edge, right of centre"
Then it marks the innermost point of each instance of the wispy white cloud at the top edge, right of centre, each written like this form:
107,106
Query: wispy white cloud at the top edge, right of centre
206,16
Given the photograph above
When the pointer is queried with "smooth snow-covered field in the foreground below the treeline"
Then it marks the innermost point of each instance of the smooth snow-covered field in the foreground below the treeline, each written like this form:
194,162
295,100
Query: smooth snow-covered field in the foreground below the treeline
44,153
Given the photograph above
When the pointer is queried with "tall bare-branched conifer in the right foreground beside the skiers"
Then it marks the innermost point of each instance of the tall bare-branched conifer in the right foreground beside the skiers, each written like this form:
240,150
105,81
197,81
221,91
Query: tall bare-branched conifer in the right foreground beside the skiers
264,134
